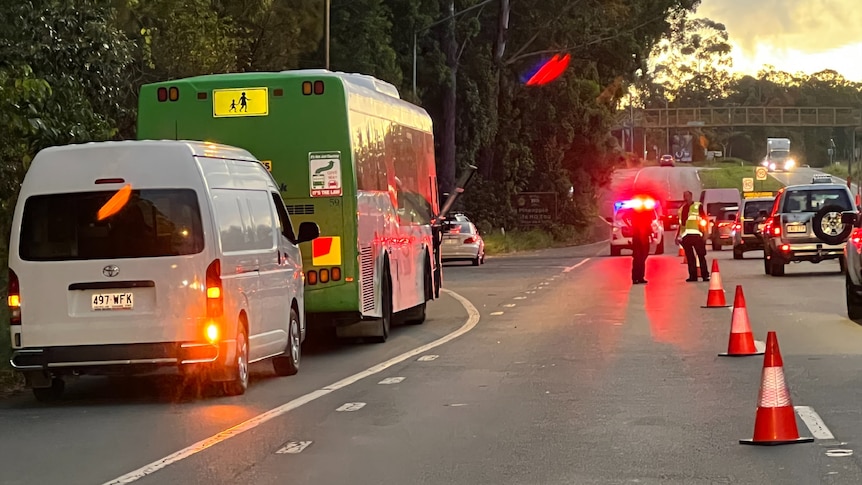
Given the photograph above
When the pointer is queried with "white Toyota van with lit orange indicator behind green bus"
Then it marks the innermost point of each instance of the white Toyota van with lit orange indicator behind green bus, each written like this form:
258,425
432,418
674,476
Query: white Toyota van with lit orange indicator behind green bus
131,257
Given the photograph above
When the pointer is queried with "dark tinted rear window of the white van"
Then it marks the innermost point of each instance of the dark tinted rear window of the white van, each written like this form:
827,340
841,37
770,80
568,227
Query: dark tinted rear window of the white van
153,223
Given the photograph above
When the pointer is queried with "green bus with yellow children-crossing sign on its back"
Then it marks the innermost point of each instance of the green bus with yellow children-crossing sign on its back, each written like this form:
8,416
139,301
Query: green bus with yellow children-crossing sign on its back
347,153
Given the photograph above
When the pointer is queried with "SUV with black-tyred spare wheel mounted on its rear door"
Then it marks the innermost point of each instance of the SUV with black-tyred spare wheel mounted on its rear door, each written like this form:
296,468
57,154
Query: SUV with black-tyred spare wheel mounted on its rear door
806,224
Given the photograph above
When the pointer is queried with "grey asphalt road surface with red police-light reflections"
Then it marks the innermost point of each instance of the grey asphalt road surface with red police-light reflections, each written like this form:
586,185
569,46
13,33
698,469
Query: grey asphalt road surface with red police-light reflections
562,373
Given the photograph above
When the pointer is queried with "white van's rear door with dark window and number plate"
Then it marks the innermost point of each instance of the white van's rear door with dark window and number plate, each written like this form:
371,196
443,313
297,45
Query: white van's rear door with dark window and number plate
111,266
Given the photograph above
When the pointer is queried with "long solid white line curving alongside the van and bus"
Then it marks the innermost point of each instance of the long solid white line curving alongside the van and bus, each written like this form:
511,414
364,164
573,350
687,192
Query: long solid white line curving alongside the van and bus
472,321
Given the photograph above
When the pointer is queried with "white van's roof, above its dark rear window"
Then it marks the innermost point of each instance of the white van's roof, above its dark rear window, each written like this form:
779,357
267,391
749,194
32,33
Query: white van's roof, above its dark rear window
144,163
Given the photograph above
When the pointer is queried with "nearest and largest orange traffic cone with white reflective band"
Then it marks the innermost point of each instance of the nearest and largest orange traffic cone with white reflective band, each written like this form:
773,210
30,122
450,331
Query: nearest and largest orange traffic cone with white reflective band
775,422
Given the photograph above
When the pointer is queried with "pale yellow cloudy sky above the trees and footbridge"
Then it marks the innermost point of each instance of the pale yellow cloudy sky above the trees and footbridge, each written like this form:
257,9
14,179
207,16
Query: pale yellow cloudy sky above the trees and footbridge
792,35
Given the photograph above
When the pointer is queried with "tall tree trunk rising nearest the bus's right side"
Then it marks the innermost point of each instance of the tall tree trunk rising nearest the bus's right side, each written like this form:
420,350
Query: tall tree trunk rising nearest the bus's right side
450,47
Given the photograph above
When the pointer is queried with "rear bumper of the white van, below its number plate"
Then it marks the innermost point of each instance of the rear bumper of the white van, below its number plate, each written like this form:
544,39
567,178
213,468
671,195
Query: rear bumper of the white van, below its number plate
92,357
